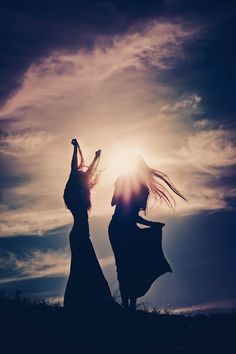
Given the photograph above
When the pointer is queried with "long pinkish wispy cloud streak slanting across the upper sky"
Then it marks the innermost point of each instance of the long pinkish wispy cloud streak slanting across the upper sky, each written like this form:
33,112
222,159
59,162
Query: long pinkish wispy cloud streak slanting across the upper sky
58,75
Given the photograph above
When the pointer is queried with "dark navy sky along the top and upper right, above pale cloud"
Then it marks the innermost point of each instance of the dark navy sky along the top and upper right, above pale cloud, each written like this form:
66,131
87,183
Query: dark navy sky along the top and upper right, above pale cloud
29,30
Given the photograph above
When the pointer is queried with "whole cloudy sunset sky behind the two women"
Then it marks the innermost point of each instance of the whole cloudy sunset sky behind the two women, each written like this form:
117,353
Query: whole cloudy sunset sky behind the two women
153,78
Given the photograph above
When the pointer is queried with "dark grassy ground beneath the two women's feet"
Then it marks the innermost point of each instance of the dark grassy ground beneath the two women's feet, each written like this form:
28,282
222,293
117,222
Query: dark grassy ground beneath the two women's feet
28,326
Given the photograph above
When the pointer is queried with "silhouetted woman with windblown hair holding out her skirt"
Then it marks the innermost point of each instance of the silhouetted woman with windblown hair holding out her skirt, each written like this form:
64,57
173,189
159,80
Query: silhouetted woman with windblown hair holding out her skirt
138,252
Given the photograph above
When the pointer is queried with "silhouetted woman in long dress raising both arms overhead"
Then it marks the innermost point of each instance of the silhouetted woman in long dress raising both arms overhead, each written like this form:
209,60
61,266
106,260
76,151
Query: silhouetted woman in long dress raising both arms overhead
87,287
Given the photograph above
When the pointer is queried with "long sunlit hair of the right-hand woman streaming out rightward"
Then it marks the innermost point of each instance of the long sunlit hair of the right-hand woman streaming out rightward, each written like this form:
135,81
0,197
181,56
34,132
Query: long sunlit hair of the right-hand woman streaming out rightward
157,182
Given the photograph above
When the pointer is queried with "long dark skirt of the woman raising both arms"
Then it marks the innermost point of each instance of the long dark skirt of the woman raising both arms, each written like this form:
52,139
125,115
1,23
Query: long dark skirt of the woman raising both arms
87,287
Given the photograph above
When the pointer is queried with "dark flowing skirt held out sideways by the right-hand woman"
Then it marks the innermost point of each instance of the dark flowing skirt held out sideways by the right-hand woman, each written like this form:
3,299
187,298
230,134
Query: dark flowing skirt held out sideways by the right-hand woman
139,257
